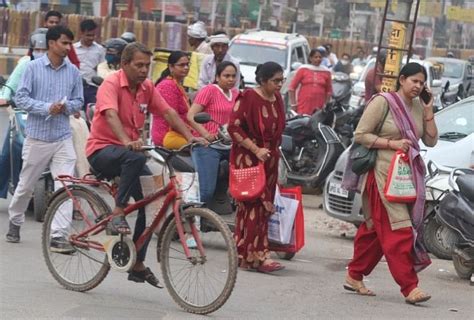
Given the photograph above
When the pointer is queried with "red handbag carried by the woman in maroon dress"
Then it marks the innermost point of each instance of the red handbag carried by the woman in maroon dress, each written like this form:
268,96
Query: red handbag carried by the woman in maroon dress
248,184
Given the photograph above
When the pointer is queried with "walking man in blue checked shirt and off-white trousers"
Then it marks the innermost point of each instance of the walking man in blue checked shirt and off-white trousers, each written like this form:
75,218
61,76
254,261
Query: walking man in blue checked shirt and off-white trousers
50,91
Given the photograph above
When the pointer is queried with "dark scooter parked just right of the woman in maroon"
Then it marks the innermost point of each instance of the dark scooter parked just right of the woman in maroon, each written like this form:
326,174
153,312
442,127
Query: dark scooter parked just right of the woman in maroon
309,150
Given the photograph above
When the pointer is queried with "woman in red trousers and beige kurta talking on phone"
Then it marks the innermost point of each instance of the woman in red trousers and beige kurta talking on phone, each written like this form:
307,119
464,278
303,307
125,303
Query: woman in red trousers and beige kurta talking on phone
393,229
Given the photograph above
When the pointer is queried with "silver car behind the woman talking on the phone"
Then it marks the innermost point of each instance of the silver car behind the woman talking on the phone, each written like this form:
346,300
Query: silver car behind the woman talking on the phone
454,149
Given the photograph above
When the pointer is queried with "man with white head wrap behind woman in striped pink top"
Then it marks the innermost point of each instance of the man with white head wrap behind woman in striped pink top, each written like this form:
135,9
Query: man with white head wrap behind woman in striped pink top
219,44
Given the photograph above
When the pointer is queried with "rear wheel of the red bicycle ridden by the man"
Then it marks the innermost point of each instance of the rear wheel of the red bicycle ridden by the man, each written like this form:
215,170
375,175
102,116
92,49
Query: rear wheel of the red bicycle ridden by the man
75,268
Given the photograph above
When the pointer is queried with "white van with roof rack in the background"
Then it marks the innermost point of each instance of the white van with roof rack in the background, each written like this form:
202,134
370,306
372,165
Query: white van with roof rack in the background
256,47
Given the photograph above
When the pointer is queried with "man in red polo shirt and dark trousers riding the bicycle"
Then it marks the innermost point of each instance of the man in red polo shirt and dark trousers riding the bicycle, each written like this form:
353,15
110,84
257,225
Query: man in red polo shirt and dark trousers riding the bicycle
113,148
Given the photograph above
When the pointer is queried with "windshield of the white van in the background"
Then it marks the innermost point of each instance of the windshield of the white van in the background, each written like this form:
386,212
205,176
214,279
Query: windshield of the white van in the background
253,55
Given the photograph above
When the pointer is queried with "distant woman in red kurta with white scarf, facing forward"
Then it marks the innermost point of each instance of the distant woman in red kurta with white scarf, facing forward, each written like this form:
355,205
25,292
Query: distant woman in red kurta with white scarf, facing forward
314,84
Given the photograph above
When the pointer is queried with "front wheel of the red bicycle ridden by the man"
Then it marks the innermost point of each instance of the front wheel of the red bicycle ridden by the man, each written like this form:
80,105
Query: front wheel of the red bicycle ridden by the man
204,283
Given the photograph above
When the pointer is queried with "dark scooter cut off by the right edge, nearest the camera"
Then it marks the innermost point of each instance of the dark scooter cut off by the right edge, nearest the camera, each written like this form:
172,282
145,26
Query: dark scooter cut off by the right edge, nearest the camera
456,212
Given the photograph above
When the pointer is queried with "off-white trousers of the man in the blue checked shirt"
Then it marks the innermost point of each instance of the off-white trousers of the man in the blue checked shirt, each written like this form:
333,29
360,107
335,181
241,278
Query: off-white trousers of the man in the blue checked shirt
37,155
